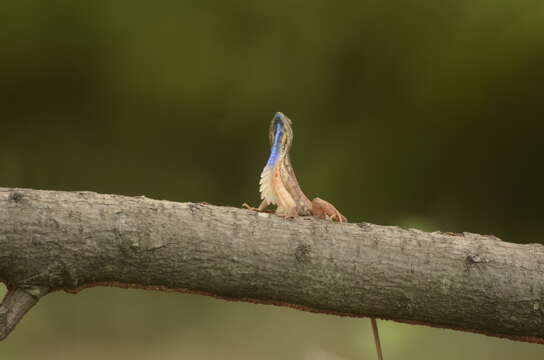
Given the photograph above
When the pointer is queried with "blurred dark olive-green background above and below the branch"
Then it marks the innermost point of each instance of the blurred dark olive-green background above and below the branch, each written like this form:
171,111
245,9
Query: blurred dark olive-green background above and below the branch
412,113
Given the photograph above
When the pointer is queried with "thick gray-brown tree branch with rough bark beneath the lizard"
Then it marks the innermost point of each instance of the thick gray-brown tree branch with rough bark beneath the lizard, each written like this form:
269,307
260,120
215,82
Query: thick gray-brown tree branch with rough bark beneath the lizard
52,240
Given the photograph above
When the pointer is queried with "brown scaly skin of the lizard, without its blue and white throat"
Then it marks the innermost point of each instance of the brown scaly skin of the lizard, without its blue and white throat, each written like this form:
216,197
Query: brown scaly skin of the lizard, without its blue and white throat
294,202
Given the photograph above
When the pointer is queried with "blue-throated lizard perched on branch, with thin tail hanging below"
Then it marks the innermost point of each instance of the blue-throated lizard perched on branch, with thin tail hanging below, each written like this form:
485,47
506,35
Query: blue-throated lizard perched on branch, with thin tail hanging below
279,186
